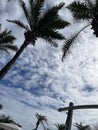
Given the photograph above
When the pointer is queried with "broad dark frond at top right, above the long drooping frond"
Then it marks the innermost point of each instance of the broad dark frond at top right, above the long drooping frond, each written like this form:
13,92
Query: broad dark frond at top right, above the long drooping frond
80,10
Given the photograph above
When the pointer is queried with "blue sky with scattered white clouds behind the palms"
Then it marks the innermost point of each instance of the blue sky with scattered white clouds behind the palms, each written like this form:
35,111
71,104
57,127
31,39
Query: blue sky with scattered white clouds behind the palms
39,82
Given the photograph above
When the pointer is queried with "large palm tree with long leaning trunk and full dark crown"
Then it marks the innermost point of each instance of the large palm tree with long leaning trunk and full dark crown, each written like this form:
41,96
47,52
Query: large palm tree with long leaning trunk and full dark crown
40,25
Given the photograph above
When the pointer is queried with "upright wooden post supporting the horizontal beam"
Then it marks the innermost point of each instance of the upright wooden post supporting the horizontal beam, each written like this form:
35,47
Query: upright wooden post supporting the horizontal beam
69,118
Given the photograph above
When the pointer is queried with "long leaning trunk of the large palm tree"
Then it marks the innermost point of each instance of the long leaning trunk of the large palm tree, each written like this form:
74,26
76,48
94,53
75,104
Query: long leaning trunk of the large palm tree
8,66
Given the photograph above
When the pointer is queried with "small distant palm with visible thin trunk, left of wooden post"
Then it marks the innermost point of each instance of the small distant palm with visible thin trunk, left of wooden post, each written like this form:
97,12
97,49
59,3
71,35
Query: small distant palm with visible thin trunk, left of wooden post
40,120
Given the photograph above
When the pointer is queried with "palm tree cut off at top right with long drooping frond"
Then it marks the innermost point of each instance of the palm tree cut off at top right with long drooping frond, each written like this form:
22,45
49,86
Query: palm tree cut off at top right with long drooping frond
87,10
